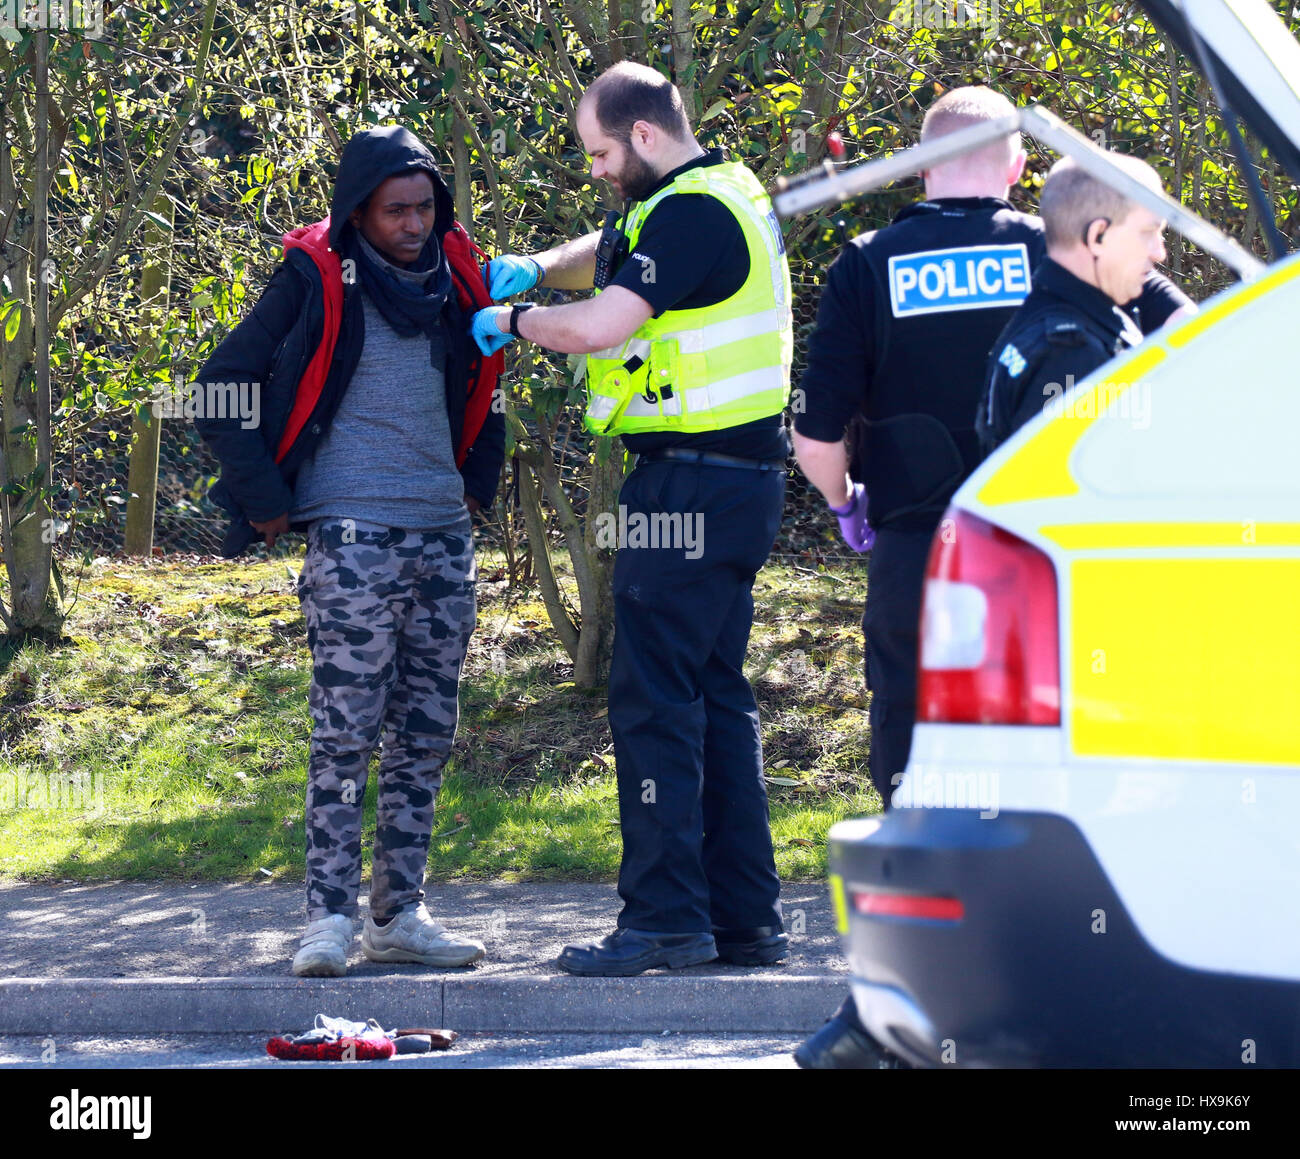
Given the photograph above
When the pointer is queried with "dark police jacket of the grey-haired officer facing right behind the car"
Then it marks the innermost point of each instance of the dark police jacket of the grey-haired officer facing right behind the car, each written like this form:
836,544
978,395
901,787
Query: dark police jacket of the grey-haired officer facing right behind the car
1063,333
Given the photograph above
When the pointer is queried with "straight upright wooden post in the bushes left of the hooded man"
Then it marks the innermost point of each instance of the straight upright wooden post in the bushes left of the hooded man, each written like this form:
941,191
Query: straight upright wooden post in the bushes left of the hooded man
144,476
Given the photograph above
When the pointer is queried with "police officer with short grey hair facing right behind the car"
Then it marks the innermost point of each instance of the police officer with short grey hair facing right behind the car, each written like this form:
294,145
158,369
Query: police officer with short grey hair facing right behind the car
1102,251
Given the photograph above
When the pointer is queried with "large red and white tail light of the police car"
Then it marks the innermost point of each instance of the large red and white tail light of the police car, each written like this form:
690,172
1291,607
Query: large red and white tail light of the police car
990,636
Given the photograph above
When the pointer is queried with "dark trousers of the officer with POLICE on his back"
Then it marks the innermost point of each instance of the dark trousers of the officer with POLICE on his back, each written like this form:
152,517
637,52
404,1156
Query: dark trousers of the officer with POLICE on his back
891,627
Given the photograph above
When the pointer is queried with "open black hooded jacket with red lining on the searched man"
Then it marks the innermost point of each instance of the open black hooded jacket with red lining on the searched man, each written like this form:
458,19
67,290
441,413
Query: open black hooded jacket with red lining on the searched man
304,340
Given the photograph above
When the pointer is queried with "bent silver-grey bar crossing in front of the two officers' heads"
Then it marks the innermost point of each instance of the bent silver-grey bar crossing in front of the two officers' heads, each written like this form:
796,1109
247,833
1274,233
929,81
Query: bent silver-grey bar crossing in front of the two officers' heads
804,196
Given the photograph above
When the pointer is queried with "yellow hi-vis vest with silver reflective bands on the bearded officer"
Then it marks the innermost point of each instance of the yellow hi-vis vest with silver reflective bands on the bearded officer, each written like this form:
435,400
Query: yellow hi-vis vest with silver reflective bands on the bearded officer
714,367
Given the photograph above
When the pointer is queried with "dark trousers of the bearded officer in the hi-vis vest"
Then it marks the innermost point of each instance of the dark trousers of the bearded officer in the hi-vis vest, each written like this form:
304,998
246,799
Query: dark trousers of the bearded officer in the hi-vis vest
697,849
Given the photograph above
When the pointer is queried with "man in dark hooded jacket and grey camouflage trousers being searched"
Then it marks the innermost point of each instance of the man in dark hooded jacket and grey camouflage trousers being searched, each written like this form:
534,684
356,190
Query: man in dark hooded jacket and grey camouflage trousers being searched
371,440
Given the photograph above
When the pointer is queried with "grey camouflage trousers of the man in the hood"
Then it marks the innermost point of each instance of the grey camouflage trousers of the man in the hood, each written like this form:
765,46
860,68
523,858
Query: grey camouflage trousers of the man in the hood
389,617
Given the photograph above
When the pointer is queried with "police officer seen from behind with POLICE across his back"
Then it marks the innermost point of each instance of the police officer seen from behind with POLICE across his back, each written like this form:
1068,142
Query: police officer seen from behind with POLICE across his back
905,325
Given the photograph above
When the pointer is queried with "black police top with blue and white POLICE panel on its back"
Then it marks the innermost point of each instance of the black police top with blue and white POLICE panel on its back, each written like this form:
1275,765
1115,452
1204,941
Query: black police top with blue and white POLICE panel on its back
907,320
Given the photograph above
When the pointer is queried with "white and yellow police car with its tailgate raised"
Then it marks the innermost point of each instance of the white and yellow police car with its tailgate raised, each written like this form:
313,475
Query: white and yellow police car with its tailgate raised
1094,857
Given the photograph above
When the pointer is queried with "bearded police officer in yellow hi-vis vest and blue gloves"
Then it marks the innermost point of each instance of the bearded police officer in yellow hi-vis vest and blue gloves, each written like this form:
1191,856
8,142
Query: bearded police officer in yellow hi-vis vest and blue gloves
690,345
